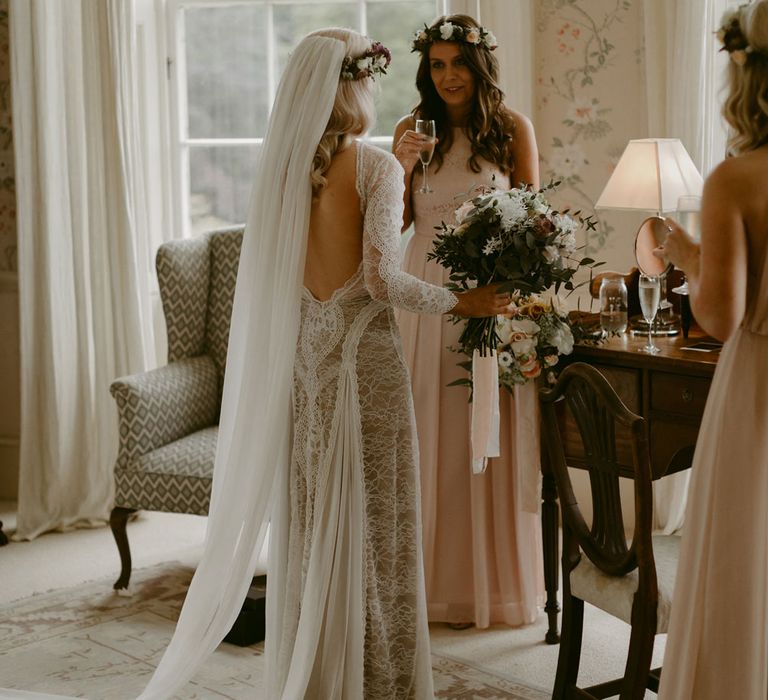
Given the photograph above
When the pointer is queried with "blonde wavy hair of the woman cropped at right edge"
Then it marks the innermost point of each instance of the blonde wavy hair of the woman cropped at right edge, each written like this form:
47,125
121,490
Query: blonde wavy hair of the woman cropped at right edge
746,107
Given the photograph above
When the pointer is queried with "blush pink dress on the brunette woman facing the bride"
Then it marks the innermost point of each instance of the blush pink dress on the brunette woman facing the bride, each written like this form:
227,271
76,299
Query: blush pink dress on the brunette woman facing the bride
481,533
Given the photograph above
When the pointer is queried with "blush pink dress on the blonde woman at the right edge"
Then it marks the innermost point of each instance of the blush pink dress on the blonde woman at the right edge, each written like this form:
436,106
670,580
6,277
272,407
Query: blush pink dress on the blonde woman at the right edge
718,637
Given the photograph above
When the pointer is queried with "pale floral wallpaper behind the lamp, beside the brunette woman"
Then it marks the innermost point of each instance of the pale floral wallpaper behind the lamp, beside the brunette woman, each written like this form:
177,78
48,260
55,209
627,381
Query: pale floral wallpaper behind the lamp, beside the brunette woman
590,100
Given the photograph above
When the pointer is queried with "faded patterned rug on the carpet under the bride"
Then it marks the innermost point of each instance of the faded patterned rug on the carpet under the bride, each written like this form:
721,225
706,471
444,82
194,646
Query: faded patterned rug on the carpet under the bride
88,642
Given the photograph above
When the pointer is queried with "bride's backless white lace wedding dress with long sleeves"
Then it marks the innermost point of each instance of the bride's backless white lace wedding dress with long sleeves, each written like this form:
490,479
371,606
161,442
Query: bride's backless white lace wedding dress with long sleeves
350,609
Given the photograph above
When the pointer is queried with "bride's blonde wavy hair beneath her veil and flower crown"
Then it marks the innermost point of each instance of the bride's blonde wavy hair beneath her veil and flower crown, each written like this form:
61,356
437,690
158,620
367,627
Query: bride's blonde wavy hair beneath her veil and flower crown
353,111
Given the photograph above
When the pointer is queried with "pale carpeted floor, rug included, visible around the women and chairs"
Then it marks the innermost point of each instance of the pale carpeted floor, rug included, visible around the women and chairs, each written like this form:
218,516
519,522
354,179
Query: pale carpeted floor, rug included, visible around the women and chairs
70,567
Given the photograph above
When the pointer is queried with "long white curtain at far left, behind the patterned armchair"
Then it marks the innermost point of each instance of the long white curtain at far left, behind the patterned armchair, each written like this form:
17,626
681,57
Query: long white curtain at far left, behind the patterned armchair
83,288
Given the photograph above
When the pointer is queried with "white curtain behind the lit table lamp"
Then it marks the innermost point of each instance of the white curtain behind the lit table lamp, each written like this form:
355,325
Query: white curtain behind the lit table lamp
683,77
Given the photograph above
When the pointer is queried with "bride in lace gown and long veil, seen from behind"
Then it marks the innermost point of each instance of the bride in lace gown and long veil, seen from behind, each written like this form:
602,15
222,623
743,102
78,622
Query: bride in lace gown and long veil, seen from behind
317,427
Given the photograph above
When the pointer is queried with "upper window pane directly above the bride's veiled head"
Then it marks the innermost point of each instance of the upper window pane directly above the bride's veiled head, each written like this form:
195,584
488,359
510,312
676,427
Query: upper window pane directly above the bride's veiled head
295,20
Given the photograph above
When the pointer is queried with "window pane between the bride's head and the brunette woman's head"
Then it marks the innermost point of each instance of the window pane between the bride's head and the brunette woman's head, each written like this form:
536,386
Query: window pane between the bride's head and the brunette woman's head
394,23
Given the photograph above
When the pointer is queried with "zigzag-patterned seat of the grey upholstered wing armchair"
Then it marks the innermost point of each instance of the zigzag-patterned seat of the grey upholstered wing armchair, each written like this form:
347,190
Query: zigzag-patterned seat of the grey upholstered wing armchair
175,478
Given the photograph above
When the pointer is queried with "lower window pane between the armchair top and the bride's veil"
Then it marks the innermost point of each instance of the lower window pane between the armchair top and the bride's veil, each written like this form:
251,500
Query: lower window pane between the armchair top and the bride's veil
220,182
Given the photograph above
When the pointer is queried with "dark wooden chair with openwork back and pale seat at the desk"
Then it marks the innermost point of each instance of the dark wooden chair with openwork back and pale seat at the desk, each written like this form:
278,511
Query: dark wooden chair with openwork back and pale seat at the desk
632,580
